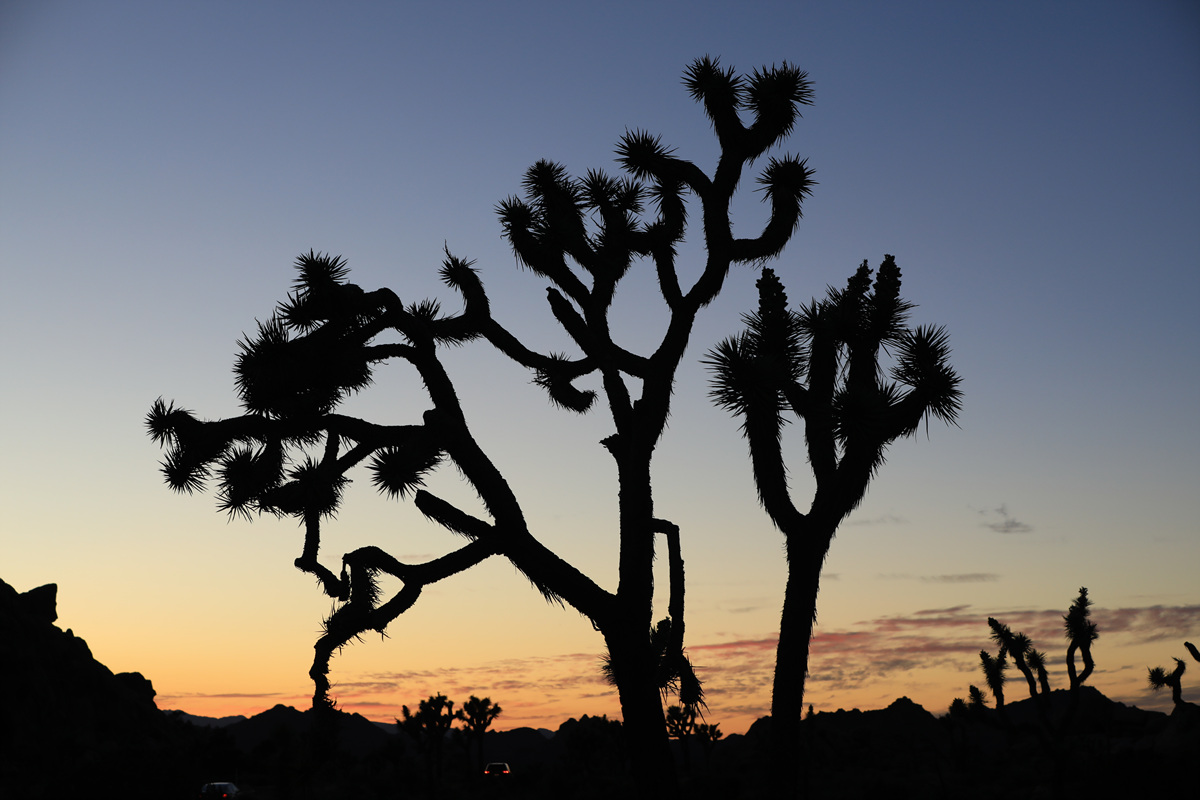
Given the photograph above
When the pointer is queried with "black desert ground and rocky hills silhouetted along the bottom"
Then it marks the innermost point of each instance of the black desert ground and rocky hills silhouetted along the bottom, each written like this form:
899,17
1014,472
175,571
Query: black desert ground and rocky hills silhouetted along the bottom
73,729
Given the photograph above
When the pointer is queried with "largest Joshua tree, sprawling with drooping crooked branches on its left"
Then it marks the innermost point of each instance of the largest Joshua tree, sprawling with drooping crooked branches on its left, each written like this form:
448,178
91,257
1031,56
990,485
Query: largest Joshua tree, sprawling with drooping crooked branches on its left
291,453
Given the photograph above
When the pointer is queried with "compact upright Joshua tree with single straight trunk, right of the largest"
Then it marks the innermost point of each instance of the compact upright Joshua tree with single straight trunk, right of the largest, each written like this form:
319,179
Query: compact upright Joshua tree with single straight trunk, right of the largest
823,364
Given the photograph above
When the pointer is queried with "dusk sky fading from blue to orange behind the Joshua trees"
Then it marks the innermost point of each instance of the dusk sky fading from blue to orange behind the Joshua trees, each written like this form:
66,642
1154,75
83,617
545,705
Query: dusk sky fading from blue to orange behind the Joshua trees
1034,167
